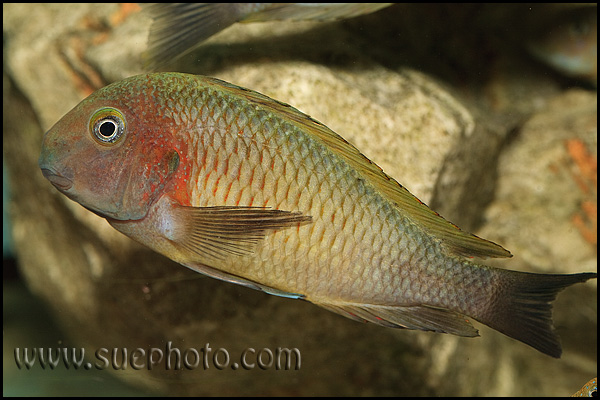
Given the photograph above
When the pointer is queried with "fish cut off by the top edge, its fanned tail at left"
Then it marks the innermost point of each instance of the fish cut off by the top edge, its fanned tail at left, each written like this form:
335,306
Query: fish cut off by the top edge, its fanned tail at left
177,28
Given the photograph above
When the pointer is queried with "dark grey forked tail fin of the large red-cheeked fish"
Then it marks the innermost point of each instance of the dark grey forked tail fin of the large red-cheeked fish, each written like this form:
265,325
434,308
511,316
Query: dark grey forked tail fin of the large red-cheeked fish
523,310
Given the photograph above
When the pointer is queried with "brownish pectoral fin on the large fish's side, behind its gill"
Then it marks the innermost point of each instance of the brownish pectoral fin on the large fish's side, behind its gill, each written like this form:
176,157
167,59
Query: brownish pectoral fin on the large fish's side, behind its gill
217,232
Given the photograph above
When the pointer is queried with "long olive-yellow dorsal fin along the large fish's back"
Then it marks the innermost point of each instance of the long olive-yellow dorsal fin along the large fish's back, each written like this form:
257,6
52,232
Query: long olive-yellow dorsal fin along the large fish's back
455,240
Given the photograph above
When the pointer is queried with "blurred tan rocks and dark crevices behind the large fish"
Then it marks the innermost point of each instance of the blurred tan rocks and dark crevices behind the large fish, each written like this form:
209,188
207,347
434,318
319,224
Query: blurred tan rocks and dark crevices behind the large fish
446,99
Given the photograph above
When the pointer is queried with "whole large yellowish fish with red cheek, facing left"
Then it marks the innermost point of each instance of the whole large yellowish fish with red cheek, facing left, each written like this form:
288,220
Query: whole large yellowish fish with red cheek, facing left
246,189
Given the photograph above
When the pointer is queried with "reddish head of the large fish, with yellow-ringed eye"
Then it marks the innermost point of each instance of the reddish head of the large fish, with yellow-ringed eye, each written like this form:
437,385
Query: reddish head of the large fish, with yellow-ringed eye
112,153
